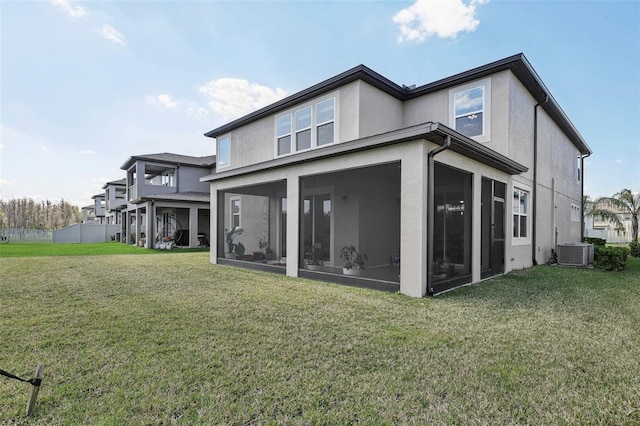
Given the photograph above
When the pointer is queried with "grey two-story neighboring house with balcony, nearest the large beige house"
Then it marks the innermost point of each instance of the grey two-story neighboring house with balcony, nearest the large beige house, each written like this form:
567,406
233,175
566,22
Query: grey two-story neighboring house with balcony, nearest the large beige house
165,196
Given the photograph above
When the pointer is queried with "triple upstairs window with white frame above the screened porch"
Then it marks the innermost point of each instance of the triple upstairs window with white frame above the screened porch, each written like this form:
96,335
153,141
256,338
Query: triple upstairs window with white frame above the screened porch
306,128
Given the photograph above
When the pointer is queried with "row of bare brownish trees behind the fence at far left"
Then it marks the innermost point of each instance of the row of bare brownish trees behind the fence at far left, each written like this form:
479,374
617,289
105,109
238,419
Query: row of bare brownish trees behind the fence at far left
29,214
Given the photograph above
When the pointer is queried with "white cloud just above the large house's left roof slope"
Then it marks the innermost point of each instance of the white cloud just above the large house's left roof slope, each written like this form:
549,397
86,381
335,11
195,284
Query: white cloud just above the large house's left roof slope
232,98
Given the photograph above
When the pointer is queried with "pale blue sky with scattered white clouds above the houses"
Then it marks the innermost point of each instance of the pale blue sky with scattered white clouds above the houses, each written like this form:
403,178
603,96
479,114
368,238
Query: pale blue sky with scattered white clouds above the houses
86,84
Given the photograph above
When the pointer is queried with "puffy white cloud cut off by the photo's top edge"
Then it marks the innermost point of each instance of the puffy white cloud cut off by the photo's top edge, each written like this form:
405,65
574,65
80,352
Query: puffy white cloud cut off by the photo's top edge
442,18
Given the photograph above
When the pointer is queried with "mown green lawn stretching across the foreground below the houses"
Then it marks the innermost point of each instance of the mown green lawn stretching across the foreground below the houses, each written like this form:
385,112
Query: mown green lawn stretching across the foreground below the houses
160,340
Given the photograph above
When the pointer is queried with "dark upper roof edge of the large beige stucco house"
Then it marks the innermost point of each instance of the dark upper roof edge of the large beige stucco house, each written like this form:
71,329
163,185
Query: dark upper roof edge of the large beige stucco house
518,64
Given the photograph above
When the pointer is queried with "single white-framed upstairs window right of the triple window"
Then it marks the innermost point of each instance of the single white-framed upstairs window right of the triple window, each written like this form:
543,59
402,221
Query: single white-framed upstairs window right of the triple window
470,110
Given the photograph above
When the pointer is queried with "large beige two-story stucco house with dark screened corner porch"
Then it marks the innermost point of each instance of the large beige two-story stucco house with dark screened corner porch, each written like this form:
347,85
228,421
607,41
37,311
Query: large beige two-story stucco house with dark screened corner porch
439,185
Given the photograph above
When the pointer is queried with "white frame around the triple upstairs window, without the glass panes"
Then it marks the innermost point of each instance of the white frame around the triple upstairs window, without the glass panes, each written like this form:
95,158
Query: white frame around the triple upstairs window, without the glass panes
294,130
